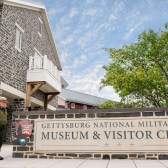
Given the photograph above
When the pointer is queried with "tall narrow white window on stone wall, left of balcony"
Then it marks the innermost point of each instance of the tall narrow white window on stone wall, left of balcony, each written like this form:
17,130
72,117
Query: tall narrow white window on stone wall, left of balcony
19,34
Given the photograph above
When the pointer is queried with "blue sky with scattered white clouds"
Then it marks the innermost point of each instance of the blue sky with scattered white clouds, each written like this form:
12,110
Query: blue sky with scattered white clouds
82,28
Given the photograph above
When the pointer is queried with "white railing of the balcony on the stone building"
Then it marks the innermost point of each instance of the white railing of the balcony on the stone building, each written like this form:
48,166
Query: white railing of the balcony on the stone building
43,62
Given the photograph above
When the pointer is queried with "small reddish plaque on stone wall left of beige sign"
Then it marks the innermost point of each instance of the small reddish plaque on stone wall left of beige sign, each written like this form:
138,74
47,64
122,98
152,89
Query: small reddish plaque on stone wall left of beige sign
24,127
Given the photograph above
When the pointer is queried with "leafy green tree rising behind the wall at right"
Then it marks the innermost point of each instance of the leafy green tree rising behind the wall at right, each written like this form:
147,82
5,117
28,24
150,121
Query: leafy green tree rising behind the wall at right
139,72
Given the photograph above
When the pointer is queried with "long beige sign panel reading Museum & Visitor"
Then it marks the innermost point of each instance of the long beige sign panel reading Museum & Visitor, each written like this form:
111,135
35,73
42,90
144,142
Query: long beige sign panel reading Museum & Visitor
102,135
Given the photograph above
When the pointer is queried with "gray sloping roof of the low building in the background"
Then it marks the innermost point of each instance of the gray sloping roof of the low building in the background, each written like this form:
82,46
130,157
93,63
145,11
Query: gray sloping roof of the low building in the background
78,97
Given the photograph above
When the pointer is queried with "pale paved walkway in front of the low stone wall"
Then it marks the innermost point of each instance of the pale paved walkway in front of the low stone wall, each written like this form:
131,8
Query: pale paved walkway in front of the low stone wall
10,162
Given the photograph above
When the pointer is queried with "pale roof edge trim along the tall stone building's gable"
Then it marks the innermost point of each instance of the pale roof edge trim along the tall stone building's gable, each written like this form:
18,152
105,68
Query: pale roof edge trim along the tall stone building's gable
41,8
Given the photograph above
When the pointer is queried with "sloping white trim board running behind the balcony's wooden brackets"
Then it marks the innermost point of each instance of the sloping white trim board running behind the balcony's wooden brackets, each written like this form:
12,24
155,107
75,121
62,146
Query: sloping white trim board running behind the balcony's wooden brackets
22,95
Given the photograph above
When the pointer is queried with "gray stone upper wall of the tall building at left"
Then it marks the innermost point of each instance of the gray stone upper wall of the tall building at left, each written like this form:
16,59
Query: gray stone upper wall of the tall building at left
14,64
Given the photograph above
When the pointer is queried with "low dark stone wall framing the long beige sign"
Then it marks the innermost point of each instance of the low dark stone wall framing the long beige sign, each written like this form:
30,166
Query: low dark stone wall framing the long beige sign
27,151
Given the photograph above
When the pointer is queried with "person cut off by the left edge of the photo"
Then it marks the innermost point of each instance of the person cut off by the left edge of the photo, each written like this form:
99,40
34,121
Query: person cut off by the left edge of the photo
3,120
